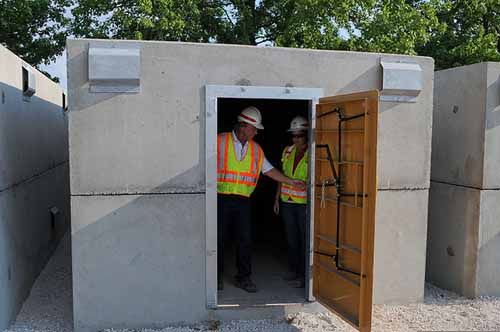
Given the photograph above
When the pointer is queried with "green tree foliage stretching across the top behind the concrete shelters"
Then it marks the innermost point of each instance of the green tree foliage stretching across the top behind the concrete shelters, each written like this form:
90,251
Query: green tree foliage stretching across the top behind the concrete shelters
454,32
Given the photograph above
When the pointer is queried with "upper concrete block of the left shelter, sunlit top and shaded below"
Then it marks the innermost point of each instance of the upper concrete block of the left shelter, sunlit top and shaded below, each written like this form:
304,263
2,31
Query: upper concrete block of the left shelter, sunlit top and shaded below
33,134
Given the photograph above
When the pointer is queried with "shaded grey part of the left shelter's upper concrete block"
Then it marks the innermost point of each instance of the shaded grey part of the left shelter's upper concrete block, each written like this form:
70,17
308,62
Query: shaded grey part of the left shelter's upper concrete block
33,136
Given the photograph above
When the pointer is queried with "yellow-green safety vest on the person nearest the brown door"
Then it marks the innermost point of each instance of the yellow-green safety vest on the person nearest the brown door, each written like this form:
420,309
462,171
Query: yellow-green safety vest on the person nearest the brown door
289,193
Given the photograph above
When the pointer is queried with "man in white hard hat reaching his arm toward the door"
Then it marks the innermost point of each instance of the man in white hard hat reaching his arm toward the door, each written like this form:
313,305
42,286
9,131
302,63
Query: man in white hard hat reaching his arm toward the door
240,160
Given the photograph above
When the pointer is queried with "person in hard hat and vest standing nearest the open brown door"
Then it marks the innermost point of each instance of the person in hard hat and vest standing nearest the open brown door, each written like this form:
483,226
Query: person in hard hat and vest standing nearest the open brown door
291,201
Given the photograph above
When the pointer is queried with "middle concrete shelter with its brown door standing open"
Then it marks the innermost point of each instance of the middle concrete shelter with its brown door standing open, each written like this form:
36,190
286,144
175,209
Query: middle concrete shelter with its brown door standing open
143,122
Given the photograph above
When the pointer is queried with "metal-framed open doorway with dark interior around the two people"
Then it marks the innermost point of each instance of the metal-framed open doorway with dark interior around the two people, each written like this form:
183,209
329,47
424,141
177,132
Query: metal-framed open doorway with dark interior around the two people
278,106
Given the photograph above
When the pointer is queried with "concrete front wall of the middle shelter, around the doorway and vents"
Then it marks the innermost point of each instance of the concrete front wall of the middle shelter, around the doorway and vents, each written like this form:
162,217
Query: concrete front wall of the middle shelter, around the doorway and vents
137,175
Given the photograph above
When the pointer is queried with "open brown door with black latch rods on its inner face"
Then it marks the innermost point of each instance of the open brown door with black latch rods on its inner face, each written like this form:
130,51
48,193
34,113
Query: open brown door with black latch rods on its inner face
344,205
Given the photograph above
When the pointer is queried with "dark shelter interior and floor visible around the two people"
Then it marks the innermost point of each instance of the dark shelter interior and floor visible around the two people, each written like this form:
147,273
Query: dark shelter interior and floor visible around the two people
269,259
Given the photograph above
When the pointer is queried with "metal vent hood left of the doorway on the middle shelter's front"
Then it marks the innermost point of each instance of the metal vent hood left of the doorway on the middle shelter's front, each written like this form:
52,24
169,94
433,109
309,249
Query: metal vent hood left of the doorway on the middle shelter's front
115,68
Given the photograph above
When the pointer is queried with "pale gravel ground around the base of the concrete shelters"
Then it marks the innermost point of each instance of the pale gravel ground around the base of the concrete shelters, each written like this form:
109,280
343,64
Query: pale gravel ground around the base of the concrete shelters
49,309
